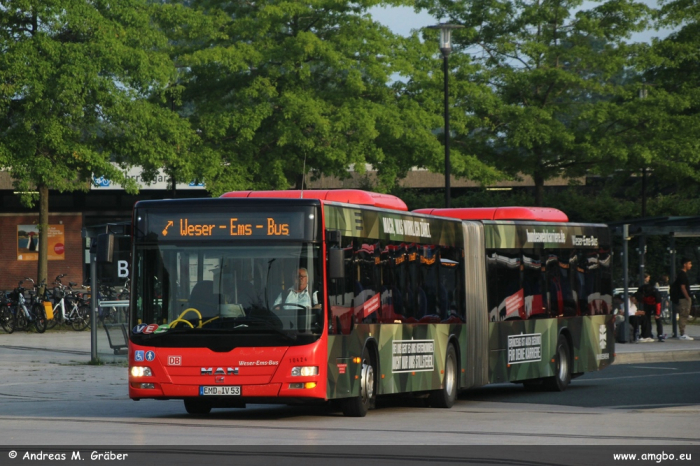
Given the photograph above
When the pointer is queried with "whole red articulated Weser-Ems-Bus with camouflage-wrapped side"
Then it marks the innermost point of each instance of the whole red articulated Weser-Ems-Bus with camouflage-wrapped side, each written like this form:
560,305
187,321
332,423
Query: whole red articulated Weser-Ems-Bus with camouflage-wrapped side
342,296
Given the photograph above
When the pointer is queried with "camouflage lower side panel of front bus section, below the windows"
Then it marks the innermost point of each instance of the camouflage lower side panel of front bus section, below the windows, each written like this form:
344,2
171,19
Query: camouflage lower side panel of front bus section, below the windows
411,358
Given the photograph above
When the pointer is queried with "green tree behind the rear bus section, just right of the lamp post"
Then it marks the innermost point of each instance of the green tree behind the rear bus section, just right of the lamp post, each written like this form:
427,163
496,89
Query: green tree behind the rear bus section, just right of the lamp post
542,66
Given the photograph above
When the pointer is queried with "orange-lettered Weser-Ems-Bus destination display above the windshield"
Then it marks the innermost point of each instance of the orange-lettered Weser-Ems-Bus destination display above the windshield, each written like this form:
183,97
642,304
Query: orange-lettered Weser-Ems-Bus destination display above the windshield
235,225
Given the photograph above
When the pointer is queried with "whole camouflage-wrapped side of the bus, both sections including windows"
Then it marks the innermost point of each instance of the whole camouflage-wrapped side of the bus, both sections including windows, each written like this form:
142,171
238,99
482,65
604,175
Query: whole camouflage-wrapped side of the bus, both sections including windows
404,293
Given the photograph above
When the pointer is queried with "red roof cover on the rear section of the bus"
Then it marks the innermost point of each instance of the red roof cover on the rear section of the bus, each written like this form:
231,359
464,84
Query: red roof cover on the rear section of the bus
538,214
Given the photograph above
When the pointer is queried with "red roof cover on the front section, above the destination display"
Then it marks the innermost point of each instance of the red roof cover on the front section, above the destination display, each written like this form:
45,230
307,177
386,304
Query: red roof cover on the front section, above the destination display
349,196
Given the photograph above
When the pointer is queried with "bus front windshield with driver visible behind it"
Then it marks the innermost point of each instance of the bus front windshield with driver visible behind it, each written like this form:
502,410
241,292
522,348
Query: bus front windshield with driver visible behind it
233,288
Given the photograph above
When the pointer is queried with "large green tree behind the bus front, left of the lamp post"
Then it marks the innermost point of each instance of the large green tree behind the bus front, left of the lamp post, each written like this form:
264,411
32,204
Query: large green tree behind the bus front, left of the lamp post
287,87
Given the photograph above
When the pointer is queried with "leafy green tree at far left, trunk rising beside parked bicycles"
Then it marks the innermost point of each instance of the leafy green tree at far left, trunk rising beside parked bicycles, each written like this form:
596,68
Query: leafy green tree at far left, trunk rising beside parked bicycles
76,77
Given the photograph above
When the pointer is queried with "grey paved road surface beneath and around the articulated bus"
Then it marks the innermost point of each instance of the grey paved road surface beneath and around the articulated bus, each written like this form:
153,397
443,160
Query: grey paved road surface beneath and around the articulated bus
49,395
